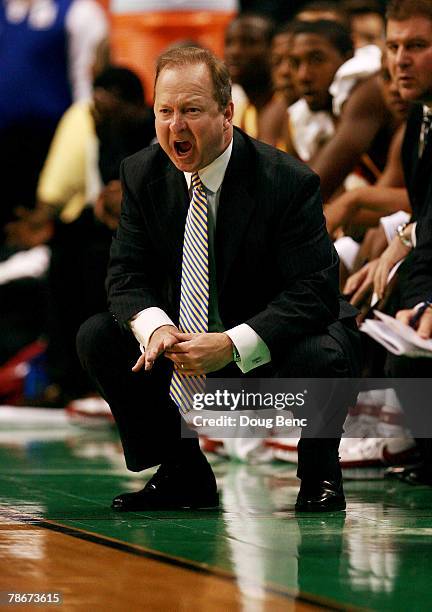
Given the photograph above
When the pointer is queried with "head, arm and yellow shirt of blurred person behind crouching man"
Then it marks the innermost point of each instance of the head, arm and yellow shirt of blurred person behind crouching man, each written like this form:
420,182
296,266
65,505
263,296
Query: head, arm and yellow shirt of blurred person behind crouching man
107,128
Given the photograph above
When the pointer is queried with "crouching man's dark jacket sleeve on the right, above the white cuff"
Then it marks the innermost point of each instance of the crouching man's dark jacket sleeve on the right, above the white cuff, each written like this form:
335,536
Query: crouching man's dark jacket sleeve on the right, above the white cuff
308,266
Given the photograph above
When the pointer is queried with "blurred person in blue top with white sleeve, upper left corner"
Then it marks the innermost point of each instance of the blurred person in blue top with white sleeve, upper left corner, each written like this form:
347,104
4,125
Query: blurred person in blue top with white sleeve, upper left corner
46,50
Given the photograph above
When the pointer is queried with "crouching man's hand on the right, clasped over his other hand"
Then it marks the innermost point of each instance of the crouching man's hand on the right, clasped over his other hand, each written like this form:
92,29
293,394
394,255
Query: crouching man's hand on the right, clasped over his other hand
197,354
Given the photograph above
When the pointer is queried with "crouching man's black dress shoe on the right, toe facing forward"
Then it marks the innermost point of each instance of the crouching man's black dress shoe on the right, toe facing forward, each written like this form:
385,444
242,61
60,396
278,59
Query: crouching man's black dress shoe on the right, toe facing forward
320,496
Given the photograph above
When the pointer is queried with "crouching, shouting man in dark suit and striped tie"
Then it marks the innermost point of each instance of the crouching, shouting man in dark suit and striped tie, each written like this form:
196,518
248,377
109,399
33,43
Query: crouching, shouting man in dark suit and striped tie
221,256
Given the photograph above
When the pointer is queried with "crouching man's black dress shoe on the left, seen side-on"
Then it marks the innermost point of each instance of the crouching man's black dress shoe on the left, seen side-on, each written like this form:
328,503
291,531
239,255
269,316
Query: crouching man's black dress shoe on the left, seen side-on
173,487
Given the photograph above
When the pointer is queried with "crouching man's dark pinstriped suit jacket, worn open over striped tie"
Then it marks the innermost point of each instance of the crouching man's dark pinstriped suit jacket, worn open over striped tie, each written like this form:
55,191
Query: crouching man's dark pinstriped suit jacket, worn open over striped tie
277,269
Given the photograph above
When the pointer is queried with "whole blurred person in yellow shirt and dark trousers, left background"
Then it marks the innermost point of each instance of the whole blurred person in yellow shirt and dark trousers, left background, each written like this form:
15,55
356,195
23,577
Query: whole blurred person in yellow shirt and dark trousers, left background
120,124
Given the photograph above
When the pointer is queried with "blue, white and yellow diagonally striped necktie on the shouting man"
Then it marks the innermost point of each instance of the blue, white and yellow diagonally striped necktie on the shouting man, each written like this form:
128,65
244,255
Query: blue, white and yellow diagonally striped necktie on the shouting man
194,298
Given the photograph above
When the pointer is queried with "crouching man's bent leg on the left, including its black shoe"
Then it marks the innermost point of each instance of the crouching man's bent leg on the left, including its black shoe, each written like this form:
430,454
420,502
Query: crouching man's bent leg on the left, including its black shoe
148,421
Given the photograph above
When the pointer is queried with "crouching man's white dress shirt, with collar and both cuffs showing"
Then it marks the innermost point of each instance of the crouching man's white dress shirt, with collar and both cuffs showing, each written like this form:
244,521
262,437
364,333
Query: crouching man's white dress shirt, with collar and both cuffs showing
252,349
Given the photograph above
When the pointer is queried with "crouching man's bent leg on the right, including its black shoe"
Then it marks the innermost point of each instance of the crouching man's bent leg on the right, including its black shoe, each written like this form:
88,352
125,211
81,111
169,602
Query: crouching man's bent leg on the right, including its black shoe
330,358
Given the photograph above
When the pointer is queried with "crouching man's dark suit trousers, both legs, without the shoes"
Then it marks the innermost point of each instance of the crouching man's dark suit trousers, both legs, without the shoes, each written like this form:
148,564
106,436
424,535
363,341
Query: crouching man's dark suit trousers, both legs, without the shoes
149,422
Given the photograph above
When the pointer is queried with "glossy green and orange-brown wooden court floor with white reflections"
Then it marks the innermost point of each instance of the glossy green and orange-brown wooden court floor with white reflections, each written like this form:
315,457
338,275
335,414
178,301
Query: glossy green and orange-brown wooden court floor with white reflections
59,534
